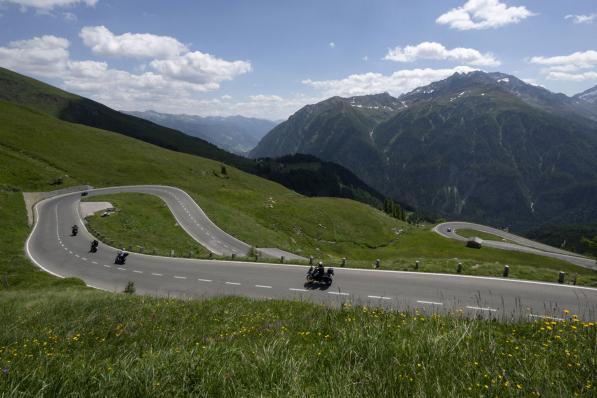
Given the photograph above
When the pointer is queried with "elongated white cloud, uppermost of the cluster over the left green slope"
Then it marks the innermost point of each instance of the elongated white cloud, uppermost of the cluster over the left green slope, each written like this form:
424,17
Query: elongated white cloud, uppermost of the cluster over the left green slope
139,45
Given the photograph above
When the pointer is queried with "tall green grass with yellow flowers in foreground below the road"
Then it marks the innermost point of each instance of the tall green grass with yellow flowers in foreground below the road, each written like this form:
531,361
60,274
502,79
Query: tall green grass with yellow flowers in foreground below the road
80,343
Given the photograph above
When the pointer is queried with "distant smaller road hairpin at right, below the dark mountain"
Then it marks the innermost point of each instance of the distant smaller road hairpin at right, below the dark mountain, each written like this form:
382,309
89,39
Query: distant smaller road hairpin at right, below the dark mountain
516,243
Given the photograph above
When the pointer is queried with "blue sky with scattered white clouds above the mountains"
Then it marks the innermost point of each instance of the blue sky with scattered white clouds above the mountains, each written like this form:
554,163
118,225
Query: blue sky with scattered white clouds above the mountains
269,58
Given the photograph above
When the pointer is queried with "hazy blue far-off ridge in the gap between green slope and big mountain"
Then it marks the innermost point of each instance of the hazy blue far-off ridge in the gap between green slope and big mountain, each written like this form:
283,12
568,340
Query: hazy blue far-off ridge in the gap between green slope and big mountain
236,134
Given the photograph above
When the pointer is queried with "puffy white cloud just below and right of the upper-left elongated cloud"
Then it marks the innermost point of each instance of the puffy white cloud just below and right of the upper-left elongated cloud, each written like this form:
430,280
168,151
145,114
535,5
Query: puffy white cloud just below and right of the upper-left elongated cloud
201,68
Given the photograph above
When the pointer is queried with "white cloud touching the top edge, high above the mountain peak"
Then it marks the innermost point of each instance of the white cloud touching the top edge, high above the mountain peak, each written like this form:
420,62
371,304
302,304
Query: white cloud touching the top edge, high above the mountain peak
483,14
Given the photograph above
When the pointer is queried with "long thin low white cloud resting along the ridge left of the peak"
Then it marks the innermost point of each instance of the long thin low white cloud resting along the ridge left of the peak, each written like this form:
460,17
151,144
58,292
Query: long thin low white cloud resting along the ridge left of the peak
397,83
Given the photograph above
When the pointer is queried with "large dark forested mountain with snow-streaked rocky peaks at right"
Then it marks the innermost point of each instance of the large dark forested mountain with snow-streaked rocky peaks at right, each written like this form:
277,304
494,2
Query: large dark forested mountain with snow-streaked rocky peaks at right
479,146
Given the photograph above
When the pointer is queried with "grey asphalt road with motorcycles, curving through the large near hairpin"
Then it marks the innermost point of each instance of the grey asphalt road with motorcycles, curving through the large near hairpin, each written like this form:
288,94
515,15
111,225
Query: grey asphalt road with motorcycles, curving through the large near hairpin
52,248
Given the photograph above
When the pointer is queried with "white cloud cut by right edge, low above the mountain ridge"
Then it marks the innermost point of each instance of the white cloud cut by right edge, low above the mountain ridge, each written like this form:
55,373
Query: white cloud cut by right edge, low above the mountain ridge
578,66
